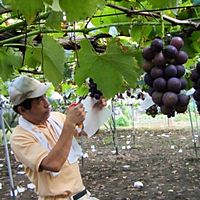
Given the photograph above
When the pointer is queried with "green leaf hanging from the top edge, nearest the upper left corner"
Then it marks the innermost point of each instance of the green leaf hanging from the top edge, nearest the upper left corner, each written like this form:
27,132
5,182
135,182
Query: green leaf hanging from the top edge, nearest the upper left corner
28,9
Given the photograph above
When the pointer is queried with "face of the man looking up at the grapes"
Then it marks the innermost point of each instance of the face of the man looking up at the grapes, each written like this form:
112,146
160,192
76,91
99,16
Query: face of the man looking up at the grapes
39,112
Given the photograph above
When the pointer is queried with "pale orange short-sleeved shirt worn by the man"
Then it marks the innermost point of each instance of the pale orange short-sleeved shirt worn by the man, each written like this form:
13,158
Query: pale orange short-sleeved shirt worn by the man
28,150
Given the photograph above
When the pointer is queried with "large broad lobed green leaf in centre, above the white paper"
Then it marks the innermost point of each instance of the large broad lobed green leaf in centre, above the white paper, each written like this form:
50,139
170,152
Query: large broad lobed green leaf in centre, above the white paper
109,70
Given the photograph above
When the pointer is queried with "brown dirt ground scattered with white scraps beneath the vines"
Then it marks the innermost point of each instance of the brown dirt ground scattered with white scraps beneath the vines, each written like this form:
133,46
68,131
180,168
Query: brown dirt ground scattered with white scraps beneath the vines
164,160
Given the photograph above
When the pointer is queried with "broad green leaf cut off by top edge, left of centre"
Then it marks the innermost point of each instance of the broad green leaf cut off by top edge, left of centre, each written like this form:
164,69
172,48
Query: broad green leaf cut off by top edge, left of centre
80,9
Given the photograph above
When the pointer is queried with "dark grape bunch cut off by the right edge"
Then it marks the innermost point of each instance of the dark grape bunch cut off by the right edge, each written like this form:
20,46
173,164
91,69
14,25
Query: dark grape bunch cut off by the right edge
195,78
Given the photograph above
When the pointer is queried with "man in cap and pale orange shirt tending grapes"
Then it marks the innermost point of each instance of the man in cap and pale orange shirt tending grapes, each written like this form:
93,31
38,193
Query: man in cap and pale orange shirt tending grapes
44,142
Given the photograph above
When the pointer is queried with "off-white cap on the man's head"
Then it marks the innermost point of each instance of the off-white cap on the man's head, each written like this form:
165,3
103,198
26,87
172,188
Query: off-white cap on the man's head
25,87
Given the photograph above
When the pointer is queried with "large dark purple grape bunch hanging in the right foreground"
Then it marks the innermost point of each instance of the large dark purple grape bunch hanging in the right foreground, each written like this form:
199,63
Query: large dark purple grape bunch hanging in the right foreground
165,75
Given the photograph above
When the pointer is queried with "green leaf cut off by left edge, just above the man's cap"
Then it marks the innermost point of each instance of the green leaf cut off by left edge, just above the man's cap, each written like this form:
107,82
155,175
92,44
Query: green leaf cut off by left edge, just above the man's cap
9,61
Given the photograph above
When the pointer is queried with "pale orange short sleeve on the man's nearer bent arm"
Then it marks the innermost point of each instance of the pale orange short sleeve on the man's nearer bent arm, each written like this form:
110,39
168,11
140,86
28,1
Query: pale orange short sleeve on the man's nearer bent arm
27,149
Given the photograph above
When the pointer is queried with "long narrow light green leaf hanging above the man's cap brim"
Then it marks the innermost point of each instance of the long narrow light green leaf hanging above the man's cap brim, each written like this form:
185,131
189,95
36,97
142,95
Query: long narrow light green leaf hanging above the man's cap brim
54,60
